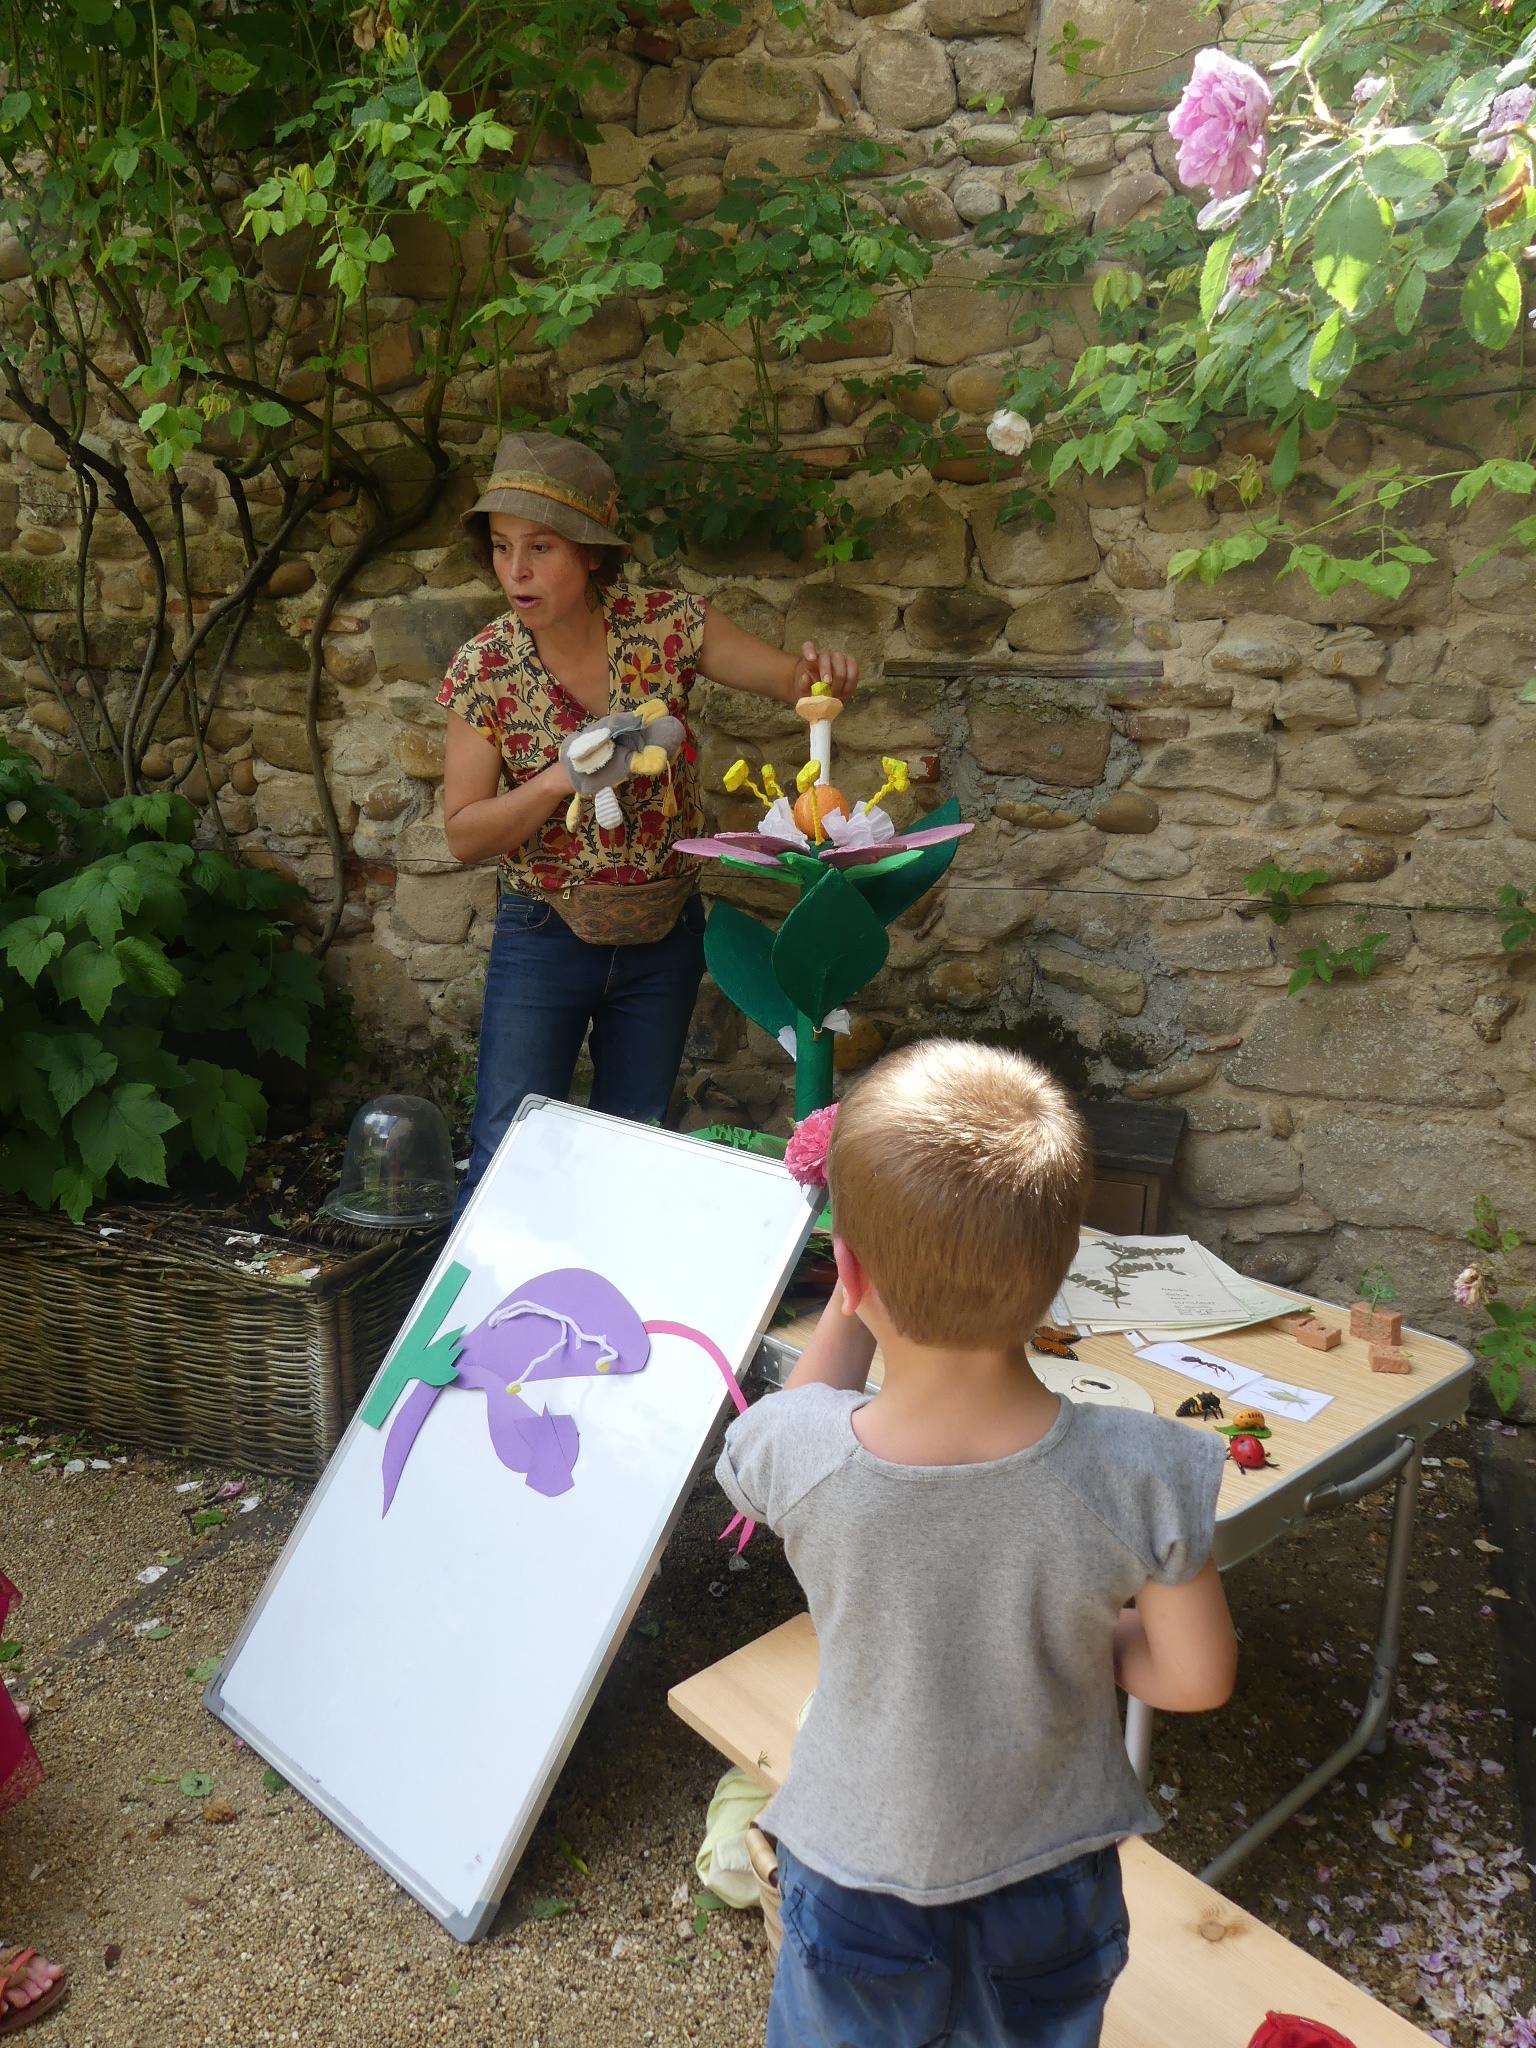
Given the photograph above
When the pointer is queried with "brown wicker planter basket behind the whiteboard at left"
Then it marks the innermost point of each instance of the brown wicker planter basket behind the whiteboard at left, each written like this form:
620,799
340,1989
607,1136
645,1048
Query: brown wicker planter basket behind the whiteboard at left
181,1334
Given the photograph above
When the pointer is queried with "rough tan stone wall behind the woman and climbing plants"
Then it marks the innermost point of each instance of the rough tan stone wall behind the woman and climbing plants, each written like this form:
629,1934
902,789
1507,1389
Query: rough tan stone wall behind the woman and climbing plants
1129,751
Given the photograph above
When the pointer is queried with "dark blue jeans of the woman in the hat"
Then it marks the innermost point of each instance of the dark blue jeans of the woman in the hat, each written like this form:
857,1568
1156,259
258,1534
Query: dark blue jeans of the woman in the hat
548,990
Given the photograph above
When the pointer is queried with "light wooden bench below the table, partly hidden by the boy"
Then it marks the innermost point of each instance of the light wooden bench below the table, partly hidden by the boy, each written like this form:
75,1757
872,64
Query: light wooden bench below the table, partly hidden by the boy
1201,1975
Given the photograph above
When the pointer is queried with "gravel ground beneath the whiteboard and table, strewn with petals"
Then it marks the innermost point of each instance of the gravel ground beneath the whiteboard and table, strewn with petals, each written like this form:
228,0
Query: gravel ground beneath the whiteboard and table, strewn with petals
261,1926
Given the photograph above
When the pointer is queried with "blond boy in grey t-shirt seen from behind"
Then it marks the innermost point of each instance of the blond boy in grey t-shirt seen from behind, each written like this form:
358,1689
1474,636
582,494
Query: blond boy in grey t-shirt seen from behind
968,1545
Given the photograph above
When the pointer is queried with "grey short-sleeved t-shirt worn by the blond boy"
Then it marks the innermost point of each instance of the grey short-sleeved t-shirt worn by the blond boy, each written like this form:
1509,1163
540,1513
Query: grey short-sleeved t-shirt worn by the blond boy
966,1725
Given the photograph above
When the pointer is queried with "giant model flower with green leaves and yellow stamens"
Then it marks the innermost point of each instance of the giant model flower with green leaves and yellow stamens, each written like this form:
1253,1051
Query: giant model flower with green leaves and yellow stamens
853,876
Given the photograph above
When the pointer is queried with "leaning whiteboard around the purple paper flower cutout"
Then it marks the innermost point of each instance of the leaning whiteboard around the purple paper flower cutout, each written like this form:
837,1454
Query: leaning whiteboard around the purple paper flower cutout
423,1674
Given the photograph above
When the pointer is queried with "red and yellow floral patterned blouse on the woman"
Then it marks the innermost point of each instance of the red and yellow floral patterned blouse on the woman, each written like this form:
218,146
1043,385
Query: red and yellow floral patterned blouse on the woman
499,685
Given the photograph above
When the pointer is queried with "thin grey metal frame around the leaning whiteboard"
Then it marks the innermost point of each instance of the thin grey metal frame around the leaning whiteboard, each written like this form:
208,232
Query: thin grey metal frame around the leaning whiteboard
476,1922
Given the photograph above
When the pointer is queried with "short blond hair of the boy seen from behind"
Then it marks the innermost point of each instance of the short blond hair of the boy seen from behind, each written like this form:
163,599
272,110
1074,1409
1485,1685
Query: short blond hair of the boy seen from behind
959,1177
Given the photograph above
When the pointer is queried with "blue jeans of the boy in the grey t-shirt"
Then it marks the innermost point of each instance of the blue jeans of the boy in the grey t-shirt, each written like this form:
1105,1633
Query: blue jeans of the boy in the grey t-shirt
1029,1965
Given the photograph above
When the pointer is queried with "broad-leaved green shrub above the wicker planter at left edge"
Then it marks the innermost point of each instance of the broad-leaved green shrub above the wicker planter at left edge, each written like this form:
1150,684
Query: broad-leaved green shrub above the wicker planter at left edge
140,978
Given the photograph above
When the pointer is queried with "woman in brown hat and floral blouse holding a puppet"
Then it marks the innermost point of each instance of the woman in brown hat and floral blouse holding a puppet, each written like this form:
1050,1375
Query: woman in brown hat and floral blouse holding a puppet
599,927
